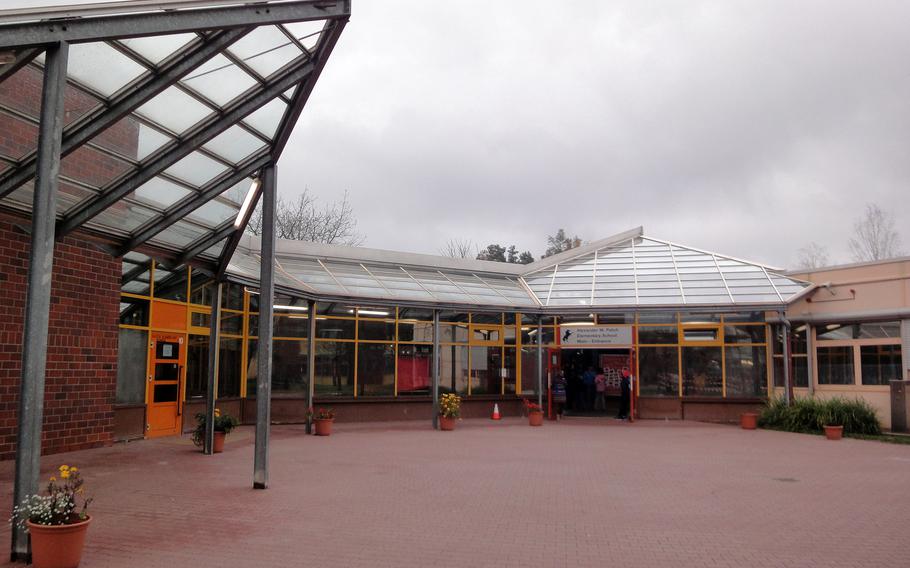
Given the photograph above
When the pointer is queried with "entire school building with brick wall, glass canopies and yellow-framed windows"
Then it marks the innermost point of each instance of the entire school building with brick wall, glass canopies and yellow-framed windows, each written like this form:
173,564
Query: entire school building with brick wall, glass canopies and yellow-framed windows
131,297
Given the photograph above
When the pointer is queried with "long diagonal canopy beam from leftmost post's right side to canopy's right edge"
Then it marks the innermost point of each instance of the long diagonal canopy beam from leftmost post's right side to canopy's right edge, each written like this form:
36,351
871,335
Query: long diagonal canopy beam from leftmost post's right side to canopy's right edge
171,154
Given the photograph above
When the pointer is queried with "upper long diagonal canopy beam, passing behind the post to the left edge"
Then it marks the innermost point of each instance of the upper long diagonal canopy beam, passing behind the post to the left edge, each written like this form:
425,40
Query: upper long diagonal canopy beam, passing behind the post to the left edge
143,91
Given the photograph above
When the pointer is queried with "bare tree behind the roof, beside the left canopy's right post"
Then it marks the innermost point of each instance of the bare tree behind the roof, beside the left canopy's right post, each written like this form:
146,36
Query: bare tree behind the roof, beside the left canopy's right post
303,220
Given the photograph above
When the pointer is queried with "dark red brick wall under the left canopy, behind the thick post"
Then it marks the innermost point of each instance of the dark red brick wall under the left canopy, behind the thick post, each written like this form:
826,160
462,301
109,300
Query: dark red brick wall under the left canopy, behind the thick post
82,343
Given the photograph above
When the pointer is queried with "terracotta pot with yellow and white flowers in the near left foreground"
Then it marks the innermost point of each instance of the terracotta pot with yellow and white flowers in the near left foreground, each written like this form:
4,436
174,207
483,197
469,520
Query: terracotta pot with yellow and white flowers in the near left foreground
56,520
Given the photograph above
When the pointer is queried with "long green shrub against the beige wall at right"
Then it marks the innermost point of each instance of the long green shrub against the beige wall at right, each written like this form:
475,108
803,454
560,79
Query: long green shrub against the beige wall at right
812,415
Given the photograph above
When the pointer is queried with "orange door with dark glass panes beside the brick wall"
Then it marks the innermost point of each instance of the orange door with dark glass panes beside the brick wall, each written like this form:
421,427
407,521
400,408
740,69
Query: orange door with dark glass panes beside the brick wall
167,364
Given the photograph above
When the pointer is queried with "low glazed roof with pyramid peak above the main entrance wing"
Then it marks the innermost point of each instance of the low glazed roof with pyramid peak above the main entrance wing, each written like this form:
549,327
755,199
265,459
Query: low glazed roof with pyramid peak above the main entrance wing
636,271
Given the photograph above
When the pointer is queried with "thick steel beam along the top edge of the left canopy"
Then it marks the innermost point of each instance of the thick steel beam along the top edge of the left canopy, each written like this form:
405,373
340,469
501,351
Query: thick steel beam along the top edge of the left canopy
76,27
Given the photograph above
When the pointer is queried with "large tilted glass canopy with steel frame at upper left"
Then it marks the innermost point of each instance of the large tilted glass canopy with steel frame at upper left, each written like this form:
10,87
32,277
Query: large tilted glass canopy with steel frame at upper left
171,108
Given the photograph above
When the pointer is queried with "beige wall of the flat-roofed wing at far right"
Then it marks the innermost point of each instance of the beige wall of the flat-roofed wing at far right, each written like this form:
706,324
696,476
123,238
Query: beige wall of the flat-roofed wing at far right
853,293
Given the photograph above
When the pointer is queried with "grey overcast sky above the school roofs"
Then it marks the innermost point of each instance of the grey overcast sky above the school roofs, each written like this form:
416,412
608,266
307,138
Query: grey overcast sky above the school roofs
747,128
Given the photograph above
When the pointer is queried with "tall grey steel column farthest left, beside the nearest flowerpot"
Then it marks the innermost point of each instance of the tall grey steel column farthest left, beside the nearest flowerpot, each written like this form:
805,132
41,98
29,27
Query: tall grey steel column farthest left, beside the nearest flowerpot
38,294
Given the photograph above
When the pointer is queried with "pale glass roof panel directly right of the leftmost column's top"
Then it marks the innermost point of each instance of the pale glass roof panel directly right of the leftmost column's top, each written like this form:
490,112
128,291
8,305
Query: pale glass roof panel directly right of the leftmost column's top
101,67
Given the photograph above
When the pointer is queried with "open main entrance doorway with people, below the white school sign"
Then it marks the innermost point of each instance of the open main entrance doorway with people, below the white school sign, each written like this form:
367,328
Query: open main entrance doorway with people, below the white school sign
585,399
